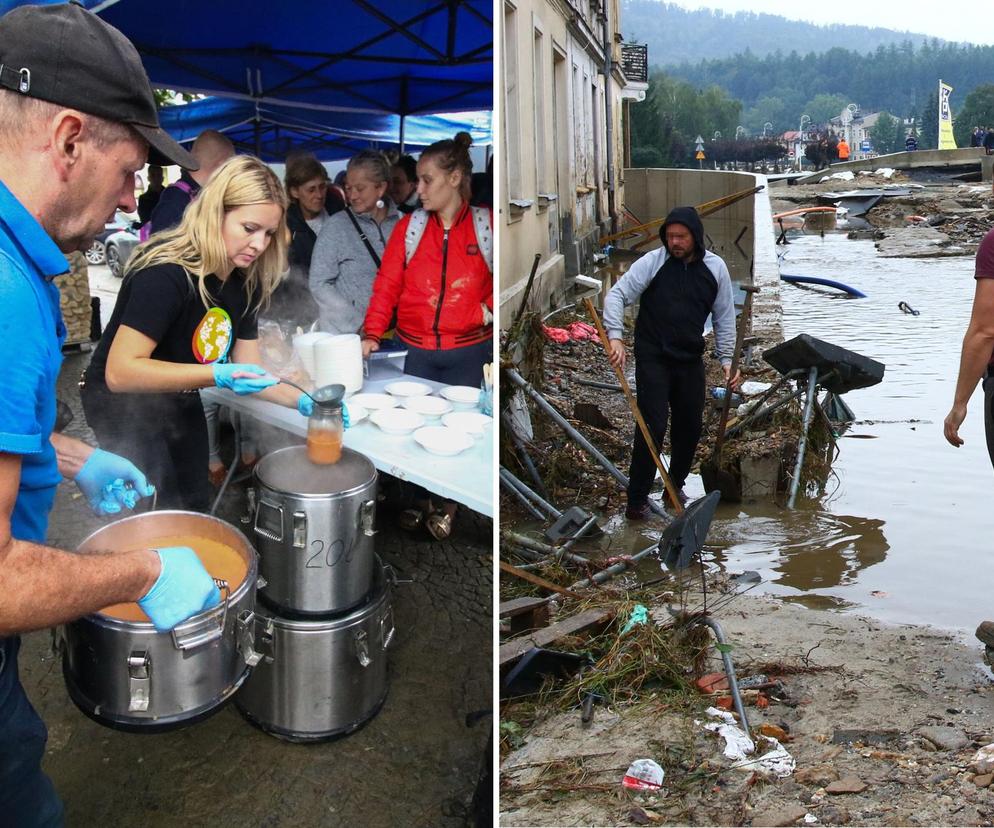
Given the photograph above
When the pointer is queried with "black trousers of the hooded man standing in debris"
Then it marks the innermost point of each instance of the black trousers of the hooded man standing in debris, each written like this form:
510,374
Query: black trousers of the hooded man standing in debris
668,393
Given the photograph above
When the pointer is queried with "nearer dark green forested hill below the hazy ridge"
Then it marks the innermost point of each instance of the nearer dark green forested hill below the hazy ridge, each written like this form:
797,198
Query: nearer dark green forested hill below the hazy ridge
896,78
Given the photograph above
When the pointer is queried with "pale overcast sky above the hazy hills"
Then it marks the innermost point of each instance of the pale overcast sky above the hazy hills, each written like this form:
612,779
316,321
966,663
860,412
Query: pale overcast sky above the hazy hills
966,23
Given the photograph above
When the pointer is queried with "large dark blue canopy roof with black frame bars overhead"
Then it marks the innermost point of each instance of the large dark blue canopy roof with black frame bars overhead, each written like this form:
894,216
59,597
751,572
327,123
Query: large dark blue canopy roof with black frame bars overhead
400,57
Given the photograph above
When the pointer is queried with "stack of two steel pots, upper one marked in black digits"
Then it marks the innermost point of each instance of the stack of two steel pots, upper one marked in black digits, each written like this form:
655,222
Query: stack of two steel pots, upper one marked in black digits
323,620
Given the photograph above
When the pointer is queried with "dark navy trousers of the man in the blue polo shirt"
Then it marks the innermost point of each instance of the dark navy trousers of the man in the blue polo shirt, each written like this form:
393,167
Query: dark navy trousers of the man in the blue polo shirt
27,796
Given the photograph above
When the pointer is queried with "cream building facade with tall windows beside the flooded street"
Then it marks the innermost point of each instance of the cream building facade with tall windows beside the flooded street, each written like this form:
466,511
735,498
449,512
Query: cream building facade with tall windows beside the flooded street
562,150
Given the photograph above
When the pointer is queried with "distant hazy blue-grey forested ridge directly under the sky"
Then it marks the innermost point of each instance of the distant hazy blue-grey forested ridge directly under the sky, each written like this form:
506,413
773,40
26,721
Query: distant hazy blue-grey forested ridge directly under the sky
675,34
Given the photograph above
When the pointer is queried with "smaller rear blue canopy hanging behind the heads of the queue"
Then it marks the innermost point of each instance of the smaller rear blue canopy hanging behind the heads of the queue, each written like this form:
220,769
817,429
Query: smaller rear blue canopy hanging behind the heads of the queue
270,131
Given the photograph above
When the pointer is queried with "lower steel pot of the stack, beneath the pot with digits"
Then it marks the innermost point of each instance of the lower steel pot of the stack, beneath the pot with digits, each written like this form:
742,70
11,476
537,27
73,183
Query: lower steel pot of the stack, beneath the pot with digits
319,679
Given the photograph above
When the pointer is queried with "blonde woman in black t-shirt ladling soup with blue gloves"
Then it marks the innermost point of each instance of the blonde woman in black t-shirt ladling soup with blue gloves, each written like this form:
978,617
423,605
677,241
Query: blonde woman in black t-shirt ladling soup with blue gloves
185,319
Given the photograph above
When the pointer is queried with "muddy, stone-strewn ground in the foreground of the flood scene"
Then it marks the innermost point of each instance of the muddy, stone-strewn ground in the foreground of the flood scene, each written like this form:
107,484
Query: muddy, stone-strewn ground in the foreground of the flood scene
882,722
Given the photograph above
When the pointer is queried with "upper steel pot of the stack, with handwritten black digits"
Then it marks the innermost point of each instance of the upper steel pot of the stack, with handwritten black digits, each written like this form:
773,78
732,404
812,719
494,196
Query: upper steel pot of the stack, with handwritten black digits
314,531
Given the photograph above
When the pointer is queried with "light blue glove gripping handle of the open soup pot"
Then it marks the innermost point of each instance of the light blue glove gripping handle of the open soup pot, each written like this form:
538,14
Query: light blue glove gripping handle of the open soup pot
183,589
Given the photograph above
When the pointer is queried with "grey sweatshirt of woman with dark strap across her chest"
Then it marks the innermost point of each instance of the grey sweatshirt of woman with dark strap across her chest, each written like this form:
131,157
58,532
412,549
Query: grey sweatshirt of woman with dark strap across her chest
342,270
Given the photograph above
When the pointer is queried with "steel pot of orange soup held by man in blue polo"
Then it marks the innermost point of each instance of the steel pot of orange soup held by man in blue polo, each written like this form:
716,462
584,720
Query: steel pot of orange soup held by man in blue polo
127,675
